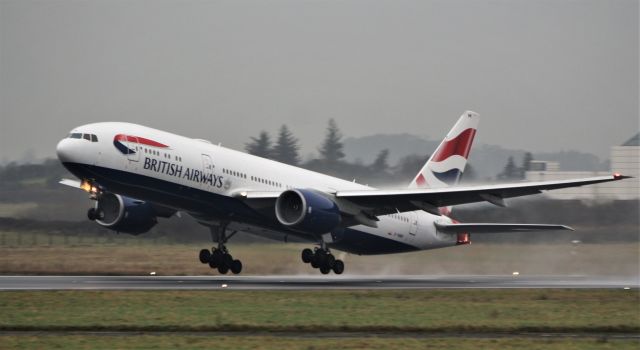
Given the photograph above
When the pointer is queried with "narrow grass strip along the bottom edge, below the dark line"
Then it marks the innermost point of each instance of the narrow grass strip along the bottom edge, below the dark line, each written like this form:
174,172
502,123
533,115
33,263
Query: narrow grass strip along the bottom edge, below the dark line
268,342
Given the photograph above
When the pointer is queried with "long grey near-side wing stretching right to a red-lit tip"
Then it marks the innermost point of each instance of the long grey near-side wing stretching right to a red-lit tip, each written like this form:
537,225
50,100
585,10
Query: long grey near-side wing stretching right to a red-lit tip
381,202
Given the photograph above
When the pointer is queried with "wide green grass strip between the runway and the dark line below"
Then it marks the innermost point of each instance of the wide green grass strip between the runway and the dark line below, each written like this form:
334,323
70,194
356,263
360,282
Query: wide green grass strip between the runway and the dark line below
491,311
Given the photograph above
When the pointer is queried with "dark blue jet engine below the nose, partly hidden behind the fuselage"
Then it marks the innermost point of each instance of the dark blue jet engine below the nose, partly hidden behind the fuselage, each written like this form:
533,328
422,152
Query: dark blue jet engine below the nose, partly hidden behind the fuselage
124,214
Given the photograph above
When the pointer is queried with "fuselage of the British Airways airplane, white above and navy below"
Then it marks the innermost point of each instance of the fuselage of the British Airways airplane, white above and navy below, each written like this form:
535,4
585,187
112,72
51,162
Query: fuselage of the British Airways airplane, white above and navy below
174,166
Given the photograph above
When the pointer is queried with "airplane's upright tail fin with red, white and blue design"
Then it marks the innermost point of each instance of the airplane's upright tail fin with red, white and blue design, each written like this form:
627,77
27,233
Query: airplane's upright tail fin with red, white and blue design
446,164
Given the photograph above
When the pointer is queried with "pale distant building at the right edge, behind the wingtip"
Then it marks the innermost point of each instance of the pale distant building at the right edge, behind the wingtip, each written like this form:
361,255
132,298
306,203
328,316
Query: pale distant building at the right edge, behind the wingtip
625,159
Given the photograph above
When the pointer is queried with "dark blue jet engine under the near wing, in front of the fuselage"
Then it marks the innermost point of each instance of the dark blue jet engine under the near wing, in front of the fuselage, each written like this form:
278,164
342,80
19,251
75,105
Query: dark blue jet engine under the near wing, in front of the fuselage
307,211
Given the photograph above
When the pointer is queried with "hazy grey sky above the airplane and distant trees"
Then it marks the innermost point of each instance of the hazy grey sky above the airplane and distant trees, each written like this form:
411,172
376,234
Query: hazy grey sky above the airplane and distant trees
545,75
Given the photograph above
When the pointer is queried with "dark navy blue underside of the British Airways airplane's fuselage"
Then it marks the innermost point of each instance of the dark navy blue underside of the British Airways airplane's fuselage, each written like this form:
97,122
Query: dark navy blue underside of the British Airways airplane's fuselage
359,239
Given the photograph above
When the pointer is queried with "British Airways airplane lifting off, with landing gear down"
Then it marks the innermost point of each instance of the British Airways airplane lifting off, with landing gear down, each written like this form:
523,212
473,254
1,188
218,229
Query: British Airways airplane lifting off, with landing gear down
137,174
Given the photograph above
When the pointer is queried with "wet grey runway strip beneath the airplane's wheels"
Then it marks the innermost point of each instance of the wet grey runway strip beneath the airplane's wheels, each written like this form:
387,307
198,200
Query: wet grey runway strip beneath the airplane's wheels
308,282
